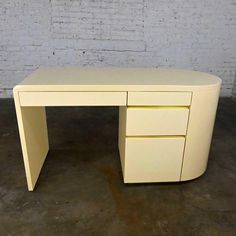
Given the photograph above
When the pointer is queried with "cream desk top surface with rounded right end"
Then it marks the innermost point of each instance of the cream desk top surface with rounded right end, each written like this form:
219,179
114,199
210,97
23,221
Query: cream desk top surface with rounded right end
115,79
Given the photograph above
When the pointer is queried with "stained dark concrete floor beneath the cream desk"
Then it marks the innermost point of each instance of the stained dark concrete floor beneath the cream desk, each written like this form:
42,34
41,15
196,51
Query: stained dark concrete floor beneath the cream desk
80,189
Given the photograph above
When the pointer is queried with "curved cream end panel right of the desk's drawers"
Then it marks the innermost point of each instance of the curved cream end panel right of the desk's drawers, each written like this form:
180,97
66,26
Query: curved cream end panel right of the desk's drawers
199,133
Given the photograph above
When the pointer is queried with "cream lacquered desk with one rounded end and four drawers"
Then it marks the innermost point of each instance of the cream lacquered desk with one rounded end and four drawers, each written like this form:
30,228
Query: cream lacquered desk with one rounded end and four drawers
166,117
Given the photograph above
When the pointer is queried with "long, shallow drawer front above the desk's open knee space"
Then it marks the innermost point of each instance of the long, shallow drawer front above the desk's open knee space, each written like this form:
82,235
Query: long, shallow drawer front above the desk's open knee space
72,98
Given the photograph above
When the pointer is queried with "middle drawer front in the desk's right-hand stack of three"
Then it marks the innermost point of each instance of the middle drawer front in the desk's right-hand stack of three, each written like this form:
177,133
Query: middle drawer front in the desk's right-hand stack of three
156,121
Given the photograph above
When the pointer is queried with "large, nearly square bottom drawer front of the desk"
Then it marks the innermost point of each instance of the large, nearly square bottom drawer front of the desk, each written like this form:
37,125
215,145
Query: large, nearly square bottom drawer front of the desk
153,159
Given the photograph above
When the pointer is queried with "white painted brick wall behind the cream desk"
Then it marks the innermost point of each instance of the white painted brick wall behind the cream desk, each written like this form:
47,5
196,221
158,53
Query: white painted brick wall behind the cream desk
199,35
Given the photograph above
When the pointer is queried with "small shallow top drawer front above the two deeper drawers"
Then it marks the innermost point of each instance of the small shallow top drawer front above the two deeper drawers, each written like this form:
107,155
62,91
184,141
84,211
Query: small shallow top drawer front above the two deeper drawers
159,98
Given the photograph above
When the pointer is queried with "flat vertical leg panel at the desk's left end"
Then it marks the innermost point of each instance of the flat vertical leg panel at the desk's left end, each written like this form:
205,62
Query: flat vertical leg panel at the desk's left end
32,126
